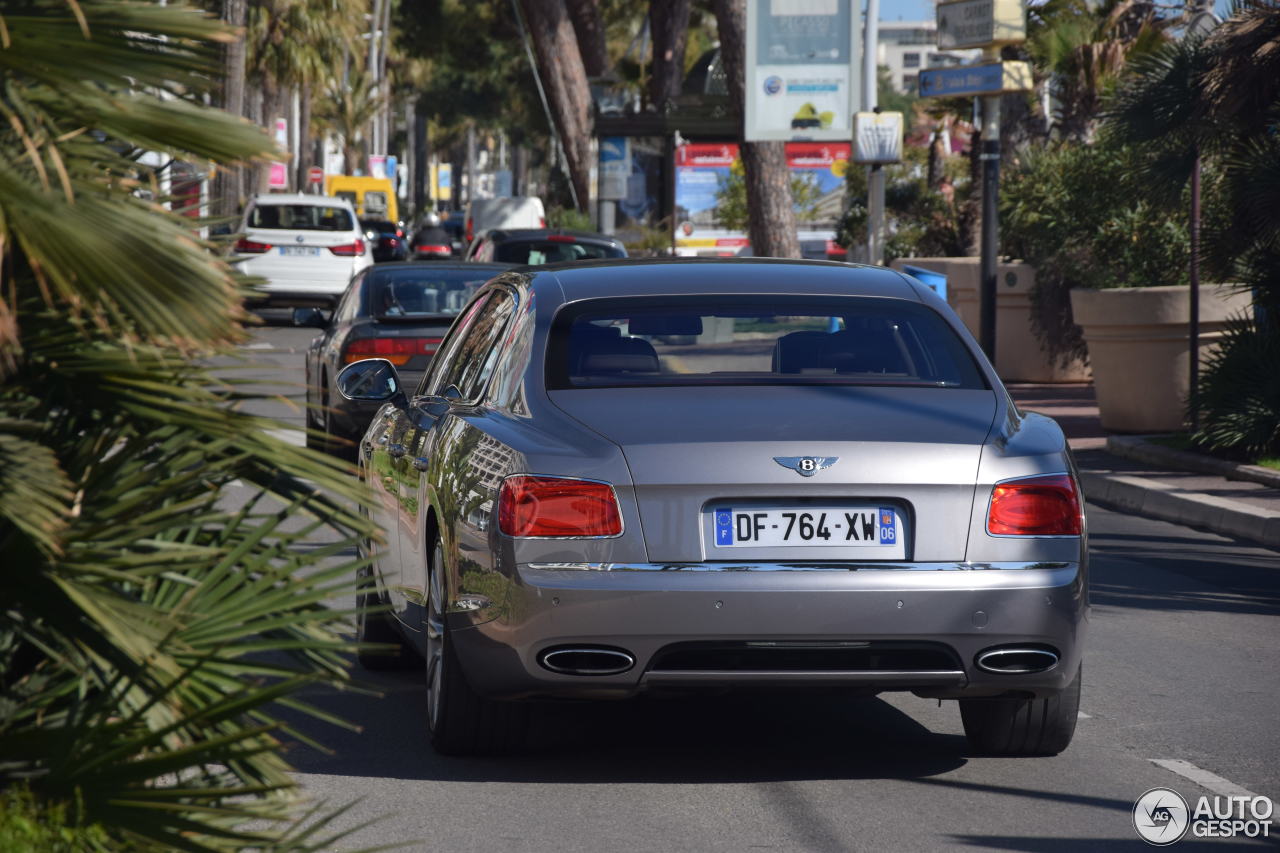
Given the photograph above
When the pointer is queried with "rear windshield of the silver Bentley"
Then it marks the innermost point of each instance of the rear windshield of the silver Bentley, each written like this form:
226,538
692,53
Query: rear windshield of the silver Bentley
755,340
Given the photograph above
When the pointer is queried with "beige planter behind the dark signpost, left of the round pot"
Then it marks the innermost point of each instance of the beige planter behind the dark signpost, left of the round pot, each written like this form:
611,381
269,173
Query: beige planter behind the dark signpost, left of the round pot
1020,357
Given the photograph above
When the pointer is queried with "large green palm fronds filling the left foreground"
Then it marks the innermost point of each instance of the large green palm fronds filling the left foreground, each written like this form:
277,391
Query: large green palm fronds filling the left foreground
153,628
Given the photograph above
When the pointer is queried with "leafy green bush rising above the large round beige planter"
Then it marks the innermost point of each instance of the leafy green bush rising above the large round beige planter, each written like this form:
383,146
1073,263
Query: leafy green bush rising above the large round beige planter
1080,216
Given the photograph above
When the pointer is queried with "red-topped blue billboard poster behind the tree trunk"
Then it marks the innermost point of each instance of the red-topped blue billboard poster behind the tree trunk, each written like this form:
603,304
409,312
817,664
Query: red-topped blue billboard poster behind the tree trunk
710,175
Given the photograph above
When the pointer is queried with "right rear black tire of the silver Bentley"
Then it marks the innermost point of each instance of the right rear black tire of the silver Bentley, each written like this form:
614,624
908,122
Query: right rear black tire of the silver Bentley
1023,727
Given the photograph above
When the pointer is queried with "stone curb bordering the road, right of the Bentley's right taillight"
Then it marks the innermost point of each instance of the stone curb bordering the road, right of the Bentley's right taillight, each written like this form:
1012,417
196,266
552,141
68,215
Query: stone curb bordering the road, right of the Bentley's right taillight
1169,504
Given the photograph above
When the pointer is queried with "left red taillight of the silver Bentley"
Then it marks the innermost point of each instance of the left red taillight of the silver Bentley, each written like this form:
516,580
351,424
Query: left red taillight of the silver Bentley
557,507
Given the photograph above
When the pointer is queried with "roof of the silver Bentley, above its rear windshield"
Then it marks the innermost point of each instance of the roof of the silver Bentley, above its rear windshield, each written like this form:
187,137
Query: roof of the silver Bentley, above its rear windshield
575,281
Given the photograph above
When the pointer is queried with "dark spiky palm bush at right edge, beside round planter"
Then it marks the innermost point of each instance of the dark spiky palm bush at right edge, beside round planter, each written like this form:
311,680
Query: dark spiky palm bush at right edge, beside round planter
1240,394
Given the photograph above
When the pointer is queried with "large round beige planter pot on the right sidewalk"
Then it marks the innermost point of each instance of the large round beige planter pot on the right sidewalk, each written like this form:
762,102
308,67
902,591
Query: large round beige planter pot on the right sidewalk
1137,339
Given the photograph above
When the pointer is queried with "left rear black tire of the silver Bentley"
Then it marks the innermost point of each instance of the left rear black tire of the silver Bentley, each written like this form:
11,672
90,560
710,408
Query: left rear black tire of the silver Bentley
459,720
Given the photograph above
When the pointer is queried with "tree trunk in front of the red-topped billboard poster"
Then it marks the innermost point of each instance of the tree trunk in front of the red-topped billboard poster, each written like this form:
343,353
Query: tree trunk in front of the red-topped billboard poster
770,213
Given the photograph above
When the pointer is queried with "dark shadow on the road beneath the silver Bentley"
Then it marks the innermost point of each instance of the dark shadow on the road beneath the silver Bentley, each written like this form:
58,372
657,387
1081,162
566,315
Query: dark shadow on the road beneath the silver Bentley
730,738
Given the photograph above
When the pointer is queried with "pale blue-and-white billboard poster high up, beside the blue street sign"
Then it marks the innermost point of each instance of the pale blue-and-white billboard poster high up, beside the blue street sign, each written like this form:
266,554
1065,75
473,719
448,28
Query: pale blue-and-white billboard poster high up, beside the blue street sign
802,70
